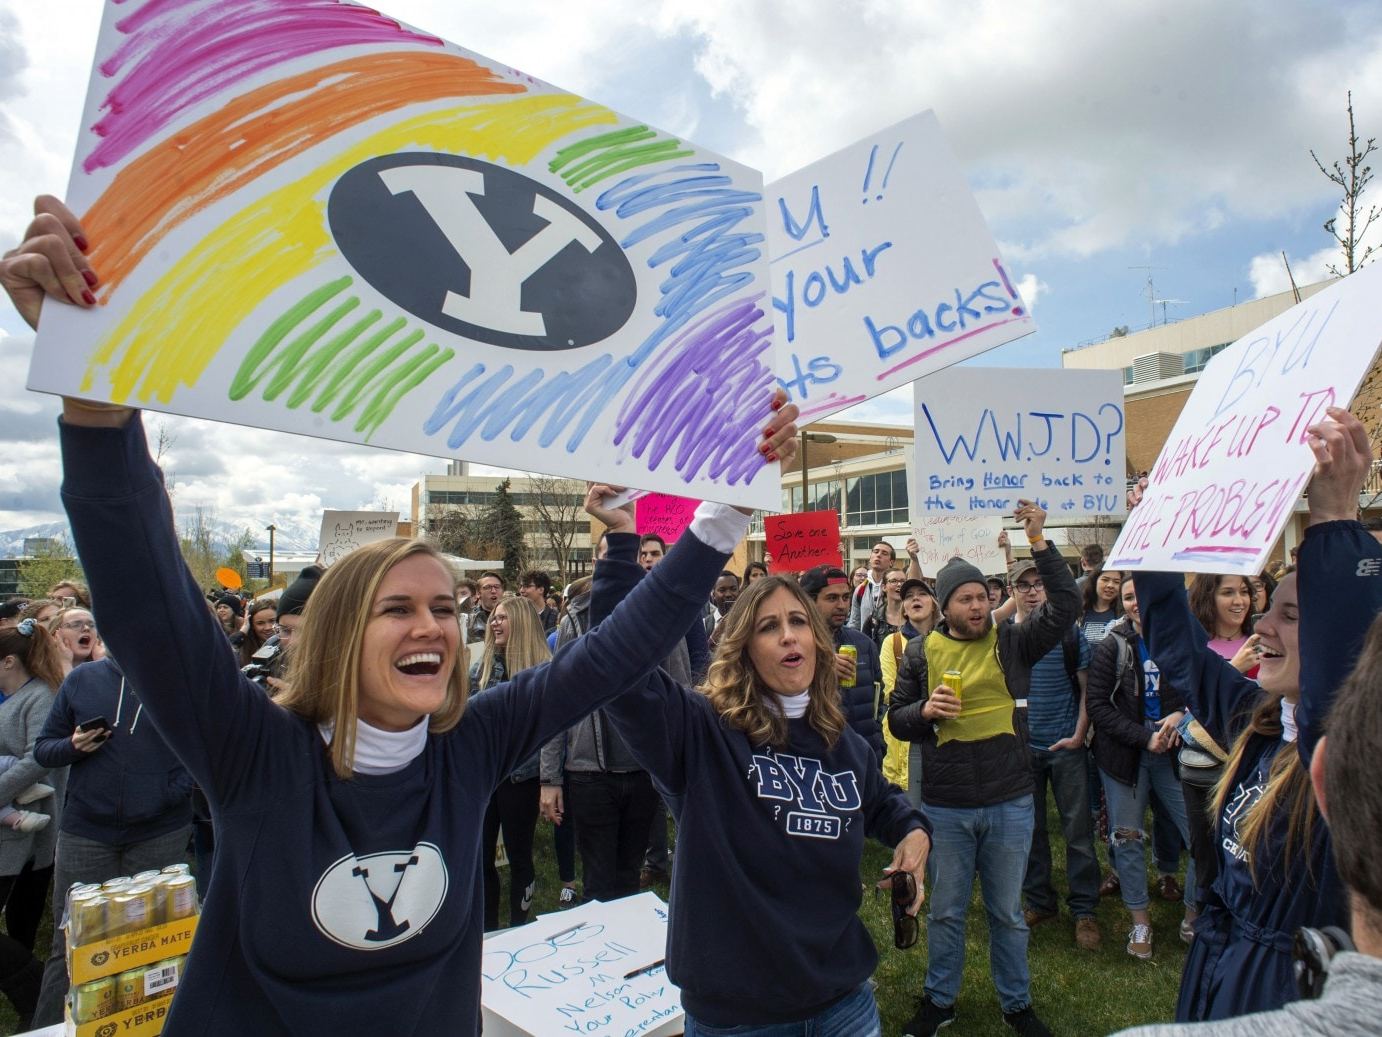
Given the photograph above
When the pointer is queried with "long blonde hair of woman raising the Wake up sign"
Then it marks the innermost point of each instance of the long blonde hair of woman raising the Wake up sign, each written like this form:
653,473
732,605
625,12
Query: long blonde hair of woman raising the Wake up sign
1289,792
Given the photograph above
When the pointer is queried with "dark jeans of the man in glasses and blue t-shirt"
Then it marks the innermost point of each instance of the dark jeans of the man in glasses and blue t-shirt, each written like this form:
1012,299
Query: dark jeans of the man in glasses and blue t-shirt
1066,772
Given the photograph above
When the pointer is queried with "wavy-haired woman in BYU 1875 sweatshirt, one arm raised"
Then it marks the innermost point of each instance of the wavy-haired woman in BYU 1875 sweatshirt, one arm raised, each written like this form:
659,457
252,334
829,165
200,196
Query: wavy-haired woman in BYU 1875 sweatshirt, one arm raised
773,794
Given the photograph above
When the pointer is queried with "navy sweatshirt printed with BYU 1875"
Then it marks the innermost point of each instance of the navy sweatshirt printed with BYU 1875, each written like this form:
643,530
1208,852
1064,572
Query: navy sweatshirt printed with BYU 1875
765,922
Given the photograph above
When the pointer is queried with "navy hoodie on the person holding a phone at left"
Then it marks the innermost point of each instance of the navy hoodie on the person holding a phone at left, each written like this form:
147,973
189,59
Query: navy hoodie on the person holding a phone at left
132,789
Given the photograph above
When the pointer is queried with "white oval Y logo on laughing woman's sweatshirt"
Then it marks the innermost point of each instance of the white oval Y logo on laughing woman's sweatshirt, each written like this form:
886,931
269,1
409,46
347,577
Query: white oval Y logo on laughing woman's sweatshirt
382,899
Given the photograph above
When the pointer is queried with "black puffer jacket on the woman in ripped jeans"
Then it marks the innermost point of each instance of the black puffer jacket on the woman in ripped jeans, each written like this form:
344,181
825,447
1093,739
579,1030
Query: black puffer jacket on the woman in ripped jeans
1113,699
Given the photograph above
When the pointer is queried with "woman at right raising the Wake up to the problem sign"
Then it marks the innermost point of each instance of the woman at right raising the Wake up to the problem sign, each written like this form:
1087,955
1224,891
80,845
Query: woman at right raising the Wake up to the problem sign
1276,872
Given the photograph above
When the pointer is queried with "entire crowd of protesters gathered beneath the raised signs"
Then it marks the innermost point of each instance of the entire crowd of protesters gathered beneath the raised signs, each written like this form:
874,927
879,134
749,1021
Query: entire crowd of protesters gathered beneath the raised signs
341,760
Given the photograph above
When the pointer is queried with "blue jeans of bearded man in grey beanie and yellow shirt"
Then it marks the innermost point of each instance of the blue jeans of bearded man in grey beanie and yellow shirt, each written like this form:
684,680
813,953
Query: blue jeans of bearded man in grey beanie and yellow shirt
993,841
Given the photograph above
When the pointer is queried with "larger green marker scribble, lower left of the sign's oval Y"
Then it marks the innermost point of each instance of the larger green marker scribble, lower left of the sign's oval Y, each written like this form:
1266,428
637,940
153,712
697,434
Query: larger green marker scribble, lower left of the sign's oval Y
377,371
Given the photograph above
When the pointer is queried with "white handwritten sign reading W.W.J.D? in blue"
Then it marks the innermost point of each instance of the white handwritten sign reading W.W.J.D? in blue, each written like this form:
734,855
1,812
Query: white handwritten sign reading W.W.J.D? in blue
990,436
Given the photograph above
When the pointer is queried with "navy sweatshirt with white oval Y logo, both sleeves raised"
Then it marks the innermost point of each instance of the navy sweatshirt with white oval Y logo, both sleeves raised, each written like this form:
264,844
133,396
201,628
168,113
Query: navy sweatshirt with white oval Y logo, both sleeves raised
335,906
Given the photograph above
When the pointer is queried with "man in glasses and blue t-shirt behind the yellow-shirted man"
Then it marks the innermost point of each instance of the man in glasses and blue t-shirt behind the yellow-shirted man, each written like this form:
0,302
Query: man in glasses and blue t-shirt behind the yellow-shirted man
1057,728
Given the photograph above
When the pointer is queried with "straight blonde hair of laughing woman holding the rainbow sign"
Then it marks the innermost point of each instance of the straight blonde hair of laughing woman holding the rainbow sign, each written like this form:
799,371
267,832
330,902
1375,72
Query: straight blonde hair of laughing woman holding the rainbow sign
324,664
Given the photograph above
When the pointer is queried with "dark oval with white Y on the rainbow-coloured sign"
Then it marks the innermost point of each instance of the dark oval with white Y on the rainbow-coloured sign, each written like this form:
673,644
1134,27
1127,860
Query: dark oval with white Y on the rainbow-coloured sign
482,251
